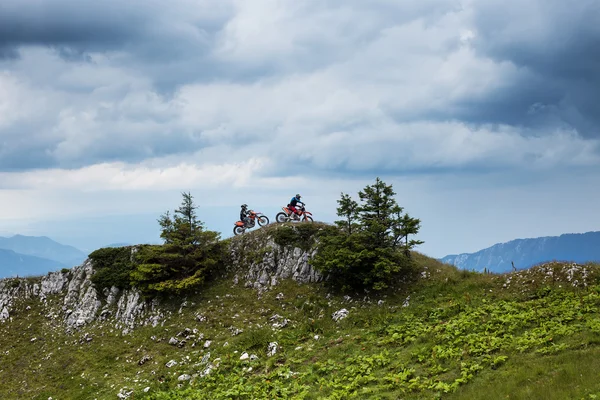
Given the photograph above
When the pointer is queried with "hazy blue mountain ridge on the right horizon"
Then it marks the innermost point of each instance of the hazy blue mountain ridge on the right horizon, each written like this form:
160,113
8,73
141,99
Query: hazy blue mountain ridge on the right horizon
525,253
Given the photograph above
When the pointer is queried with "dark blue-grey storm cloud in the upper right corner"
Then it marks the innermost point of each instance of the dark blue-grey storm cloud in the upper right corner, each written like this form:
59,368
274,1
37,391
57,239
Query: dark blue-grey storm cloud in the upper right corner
556,46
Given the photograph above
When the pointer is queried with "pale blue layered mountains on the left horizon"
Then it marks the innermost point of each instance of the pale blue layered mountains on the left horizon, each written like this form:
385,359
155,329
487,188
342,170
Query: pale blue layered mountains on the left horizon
35,255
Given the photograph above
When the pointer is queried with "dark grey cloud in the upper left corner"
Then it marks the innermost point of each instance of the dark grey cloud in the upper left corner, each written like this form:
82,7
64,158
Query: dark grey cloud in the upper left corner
146,29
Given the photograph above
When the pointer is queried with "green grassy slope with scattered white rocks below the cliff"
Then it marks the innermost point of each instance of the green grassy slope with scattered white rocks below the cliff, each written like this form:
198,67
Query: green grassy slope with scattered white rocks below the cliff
454,335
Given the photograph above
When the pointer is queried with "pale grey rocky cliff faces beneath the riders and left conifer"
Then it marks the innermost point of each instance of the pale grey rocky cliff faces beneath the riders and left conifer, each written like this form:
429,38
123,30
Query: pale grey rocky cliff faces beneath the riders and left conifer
76,303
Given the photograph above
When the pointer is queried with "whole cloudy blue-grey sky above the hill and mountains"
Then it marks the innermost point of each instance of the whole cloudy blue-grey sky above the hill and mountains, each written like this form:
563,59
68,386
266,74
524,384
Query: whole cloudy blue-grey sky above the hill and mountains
484,115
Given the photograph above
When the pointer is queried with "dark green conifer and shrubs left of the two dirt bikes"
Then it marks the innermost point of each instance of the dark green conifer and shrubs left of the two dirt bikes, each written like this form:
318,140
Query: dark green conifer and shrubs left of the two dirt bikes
185,261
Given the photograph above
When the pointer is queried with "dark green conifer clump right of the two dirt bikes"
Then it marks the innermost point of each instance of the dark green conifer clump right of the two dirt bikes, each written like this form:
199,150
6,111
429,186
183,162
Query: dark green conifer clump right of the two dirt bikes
372,247
